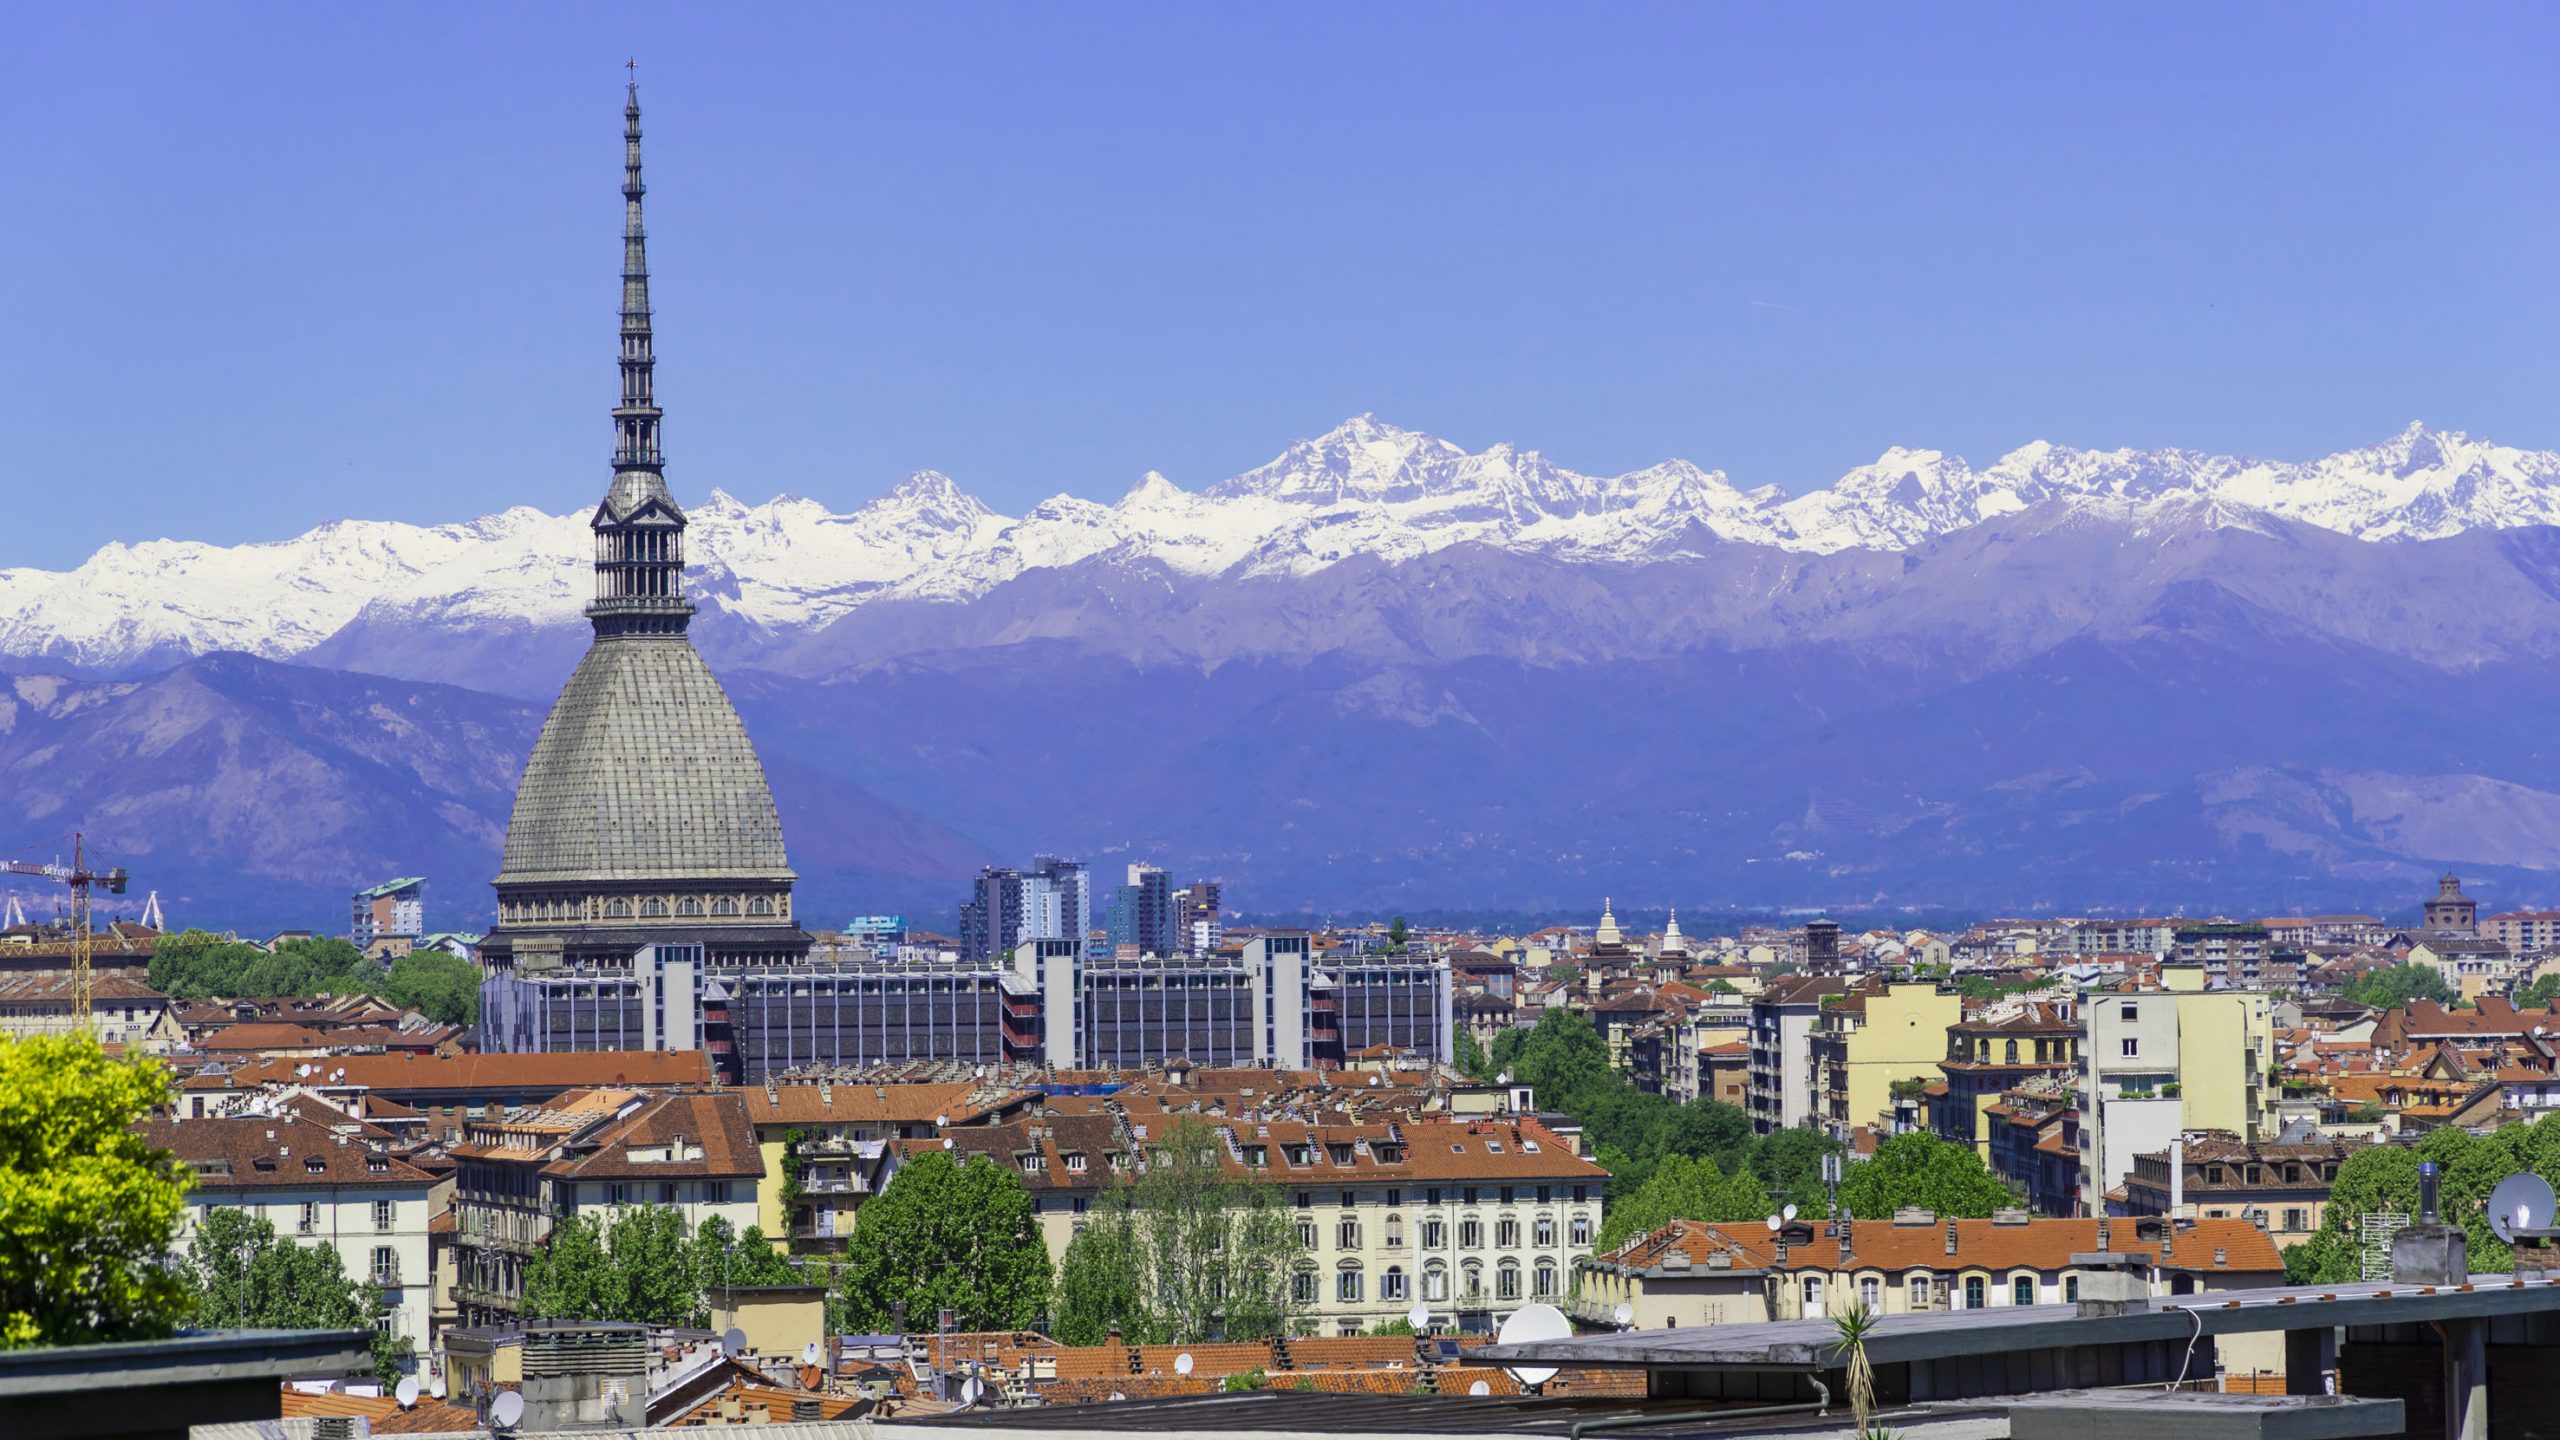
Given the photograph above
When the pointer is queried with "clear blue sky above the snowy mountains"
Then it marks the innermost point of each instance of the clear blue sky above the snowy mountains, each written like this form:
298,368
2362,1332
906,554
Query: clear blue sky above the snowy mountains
280,265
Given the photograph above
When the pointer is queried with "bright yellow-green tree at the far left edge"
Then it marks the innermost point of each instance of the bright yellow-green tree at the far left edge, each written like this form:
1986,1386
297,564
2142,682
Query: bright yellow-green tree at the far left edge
88,1211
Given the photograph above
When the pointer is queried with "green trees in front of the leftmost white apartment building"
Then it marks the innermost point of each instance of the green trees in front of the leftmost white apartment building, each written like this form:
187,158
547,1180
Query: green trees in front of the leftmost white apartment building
247,1277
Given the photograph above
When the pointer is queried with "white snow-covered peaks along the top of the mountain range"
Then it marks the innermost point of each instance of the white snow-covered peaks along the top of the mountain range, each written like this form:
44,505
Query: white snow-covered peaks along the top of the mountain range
1361,491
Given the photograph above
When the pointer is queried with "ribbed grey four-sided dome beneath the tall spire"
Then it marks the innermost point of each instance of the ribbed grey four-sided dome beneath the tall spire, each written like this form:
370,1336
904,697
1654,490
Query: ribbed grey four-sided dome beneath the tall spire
644,773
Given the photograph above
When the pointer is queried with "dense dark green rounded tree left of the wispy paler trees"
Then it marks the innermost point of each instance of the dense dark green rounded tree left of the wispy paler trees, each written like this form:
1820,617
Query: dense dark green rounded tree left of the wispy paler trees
948,1236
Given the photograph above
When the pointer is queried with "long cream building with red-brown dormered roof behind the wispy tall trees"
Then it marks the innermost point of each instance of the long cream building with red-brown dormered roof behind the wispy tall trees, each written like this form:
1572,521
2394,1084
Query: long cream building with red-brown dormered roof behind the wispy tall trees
1473,1218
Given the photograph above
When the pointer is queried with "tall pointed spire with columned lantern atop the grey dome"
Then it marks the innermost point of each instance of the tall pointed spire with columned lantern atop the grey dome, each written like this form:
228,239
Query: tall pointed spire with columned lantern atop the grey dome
639,527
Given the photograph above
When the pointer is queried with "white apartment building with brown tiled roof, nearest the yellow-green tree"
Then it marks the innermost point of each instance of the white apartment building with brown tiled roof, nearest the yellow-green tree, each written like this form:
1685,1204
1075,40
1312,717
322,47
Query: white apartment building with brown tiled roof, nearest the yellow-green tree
319,1185
